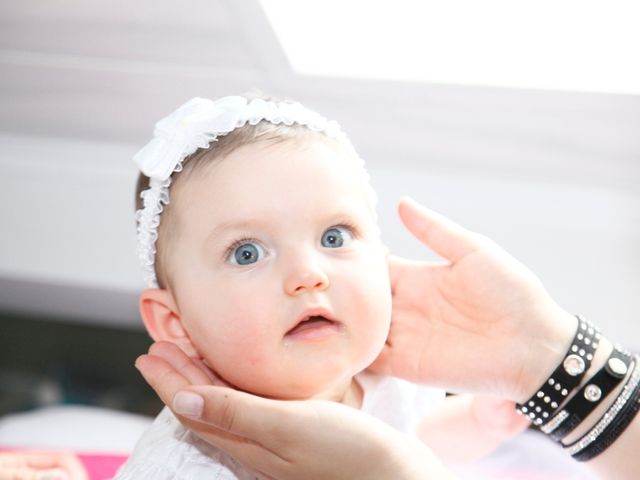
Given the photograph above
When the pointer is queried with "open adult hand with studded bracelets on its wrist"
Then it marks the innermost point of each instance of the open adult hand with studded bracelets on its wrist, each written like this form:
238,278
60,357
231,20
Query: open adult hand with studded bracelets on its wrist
480,322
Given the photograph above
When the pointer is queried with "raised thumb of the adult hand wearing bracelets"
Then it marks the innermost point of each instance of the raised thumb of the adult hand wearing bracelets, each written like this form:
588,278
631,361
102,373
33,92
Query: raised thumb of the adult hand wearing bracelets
443,236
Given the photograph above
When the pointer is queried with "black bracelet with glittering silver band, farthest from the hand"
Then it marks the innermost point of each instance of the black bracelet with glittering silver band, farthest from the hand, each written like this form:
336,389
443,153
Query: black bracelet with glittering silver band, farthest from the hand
613,422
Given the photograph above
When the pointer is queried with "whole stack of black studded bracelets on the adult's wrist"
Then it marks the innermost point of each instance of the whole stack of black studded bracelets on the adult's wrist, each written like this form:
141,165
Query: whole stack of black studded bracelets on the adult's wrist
559,406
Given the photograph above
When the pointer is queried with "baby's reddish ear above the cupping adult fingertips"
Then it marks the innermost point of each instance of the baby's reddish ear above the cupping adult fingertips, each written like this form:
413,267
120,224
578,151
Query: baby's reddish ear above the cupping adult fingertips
162,319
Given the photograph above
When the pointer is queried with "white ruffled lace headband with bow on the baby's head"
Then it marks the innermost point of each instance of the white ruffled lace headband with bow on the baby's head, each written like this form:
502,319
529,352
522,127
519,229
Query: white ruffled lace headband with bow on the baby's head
195,125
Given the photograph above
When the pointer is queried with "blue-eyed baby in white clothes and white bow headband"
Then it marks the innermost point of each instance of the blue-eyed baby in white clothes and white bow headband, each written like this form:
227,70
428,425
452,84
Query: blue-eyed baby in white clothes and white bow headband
258,235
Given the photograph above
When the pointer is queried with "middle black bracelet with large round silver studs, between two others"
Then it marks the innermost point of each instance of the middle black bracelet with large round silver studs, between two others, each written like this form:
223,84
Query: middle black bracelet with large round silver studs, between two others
589,396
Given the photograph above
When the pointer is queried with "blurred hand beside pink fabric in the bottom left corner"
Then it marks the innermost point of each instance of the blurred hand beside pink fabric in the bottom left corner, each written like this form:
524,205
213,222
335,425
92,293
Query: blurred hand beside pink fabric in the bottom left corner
39,465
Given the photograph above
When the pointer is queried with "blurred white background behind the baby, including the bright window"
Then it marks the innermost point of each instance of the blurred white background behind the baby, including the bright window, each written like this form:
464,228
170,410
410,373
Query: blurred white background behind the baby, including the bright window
539,152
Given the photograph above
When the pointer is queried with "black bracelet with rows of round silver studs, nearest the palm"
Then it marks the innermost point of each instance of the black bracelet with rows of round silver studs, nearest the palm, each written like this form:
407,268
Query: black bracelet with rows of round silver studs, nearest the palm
567,376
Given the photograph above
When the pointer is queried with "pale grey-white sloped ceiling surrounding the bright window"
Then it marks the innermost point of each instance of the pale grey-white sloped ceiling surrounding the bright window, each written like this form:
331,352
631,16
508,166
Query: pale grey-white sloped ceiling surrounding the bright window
107,71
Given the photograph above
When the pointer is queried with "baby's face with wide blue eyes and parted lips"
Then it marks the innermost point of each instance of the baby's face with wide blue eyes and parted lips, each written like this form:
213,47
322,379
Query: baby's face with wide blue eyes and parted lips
279,275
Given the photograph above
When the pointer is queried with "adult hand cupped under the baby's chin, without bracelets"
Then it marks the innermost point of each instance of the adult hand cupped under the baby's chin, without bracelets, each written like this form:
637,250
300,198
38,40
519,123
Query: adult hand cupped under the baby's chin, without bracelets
282,440
